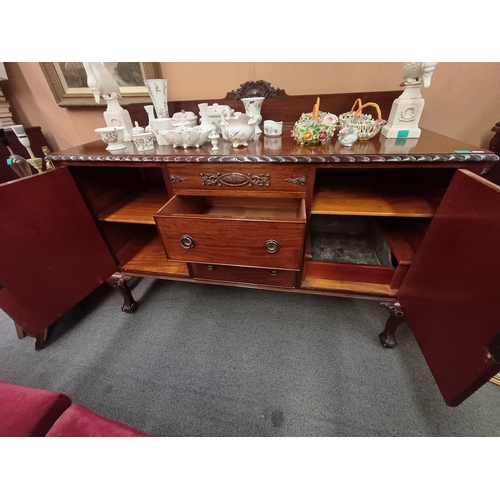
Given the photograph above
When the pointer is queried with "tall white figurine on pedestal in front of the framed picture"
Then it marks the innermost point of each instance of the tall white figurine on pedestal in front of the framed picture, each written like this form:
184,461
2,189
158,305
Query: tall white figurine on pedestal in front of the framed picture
102,81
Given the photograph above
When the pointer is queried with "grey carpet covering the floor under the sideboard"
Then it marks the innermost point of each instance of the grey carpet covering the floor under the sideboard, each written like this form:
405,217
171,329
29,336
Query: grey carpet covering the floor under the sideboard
204,360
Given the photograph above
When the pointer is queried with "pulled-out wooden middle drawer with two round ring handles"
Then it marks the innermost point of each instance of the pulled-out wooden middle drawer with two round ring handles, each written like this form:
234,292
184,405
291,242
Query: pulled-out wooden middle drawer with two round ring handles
258,232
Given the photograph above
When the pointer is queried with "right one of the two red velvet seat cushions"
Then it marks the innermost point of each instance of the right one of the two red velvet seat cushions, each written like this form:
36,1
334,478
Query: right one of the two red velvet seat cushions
79,421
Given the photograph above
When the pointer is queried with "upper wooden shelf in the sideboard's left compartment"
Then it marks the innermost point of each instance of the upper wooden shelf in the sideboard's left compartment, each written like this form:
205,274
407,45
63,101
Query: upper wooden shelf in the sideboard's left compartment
138,208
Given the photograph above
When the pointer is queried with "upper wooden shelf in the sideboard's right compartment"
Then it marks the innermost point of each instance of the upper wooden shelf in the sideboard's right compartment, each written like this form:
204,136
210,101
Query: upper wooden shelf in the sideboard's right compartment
365,200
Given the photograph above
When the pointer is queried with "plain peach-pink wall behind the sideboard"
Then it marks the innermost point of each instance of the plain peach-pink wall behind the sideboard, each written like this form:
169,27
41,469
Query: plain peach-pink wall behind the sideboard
463,100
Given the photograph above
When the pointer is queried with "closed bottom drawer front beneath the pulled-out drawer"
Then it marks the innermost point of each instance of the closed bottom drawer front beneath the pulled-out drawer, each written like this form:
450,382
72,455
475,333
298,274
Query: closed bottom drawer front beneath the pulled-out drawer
249,275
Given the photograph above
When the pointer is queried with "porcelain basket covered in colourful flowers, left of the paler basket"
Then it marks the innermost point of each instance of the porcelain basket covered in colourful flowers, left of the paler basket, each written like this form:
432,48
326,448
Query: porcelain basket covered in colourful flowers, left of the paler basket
314,128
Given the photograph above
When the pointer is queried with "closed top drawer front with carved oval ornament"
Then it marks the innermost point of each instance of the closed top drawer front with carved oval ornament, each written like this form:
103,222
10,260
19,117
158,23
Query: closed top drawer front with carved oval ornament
238,178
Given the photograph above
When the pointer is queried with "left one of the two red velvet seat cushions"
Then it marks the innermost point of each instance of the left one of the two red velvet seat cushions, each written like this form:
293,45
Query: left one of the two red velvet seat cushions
25,411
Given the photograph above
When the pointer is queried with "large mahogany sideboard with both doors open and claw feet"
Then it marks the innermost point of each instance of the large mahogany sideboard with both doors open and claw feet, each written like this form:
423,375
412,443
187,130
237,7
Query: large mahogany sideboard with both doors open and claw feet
409,223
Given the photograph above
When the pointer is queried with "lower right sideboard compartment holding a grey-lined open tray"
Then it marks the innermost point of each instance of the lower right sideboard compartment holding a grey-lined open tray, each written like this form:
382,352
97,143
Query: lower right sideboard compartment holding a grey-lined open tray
365,250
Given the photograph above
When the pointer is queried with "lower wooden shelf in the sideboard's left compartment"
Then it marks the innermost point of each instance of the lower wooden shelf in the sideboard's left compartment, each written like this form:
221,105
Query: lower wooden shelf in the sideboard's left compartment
151,258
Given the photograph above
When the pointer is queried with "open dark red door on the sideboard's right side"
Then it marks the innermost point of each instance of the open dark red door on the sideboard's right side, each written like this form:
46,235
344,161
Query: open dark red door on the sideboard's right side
451,292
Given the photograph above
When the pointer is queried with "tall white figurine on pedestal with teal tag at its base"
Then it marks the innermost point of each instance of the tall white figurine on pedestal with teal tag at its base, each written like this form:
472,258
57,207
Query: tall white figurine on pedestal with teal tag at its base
407,108
